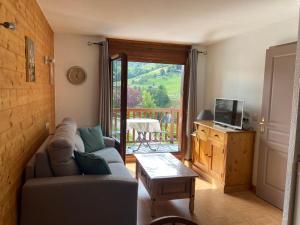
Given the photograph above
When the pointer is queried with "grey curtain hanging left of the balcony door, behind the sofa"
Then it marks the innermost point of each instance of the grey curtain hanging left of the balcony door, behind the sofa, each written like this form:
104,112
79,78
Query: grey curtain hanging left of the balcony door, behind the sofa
105,103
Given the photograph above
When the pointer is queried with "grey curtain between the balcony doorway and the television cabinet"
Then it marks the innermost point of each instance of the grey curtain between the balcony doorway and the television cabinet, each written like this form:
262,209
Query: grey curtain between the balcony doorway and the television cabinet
192,100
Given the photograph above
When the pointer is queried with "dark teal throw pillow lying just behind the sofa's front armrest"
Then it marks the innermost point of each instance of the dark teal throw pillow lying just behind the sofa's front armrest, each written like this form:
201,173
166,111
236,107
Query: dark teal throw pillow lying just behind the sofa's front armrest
89,163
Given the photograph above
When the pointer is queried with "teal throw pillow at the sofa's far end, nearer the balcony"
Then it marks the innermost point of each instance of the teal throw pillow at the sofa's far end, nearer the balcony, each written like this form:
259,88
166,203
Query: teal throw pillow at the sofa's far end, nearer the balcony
92,138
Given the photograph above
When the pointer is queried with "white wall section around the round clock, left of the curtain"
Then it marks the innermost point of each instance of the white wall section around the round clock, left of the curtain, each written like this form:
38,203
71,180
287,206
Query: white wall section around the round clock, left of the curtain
77,101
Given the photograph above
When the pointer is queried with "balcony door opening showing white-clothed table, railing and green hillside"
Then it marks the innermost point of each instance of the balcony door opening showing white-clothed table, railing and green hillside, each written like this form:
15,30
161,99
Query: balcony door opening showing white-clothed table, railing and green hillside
154,92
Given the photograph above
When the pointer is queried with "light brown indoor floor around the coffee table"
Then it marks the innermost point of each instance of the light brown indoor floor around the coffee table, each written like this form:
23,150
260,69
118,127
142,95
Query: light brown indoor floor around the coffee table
212,207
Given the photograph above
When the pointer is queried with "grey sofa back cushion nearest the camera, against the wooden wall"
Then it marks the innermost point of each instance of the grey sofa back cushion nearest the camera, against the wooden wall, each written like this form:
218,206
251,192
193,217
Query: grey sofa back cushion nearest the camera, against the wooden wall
60,150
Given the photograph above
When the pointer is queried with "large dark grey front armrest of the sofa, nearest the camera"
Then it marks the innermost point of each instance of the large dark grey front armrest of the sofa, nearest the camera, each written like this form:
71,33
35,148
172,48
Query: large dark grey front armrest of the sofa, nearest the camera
77,200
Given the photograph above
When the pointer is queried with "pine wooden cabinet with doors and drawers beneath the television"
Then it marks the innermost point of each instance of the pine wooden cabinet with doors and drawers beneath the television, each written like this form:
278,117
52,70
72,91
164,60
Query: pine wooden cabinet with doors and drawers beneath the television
223,156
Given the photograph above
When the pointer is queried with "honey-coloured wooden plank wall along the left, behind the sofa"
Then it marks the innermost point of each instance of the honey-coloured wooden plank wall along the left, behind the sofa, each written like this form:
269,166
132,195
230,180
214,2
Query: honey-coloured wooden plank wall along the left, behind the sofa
24,107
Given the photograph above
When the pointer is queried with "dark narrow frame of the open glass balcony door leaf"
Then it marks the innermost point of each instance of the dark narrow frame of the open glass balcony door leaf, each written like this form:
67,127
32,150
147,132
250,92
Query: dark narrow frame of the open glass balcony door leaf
123,109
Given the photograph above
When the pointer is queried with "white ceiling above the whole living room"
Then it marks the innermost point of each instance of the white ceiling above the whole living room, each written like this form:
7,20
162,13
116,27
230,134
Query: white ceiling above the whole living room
178,21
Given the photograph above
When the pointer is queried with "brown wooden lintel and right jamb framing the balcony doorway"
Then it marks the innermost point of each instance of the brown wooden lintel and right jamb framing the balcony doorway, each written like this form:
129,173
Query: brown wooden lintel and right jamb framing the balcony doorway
156,52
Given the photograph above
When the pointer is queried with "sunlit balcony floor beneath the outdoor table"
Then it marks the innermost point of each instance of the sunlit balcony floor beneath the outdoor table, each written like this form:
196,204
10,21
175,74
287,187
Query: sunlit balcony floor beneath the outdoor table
163,147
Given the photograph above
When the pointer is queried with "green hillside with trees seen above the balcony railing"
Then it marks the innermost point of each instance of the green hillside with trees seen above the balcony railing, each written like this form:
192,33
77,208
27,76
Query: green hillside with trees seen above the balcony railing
154,85
